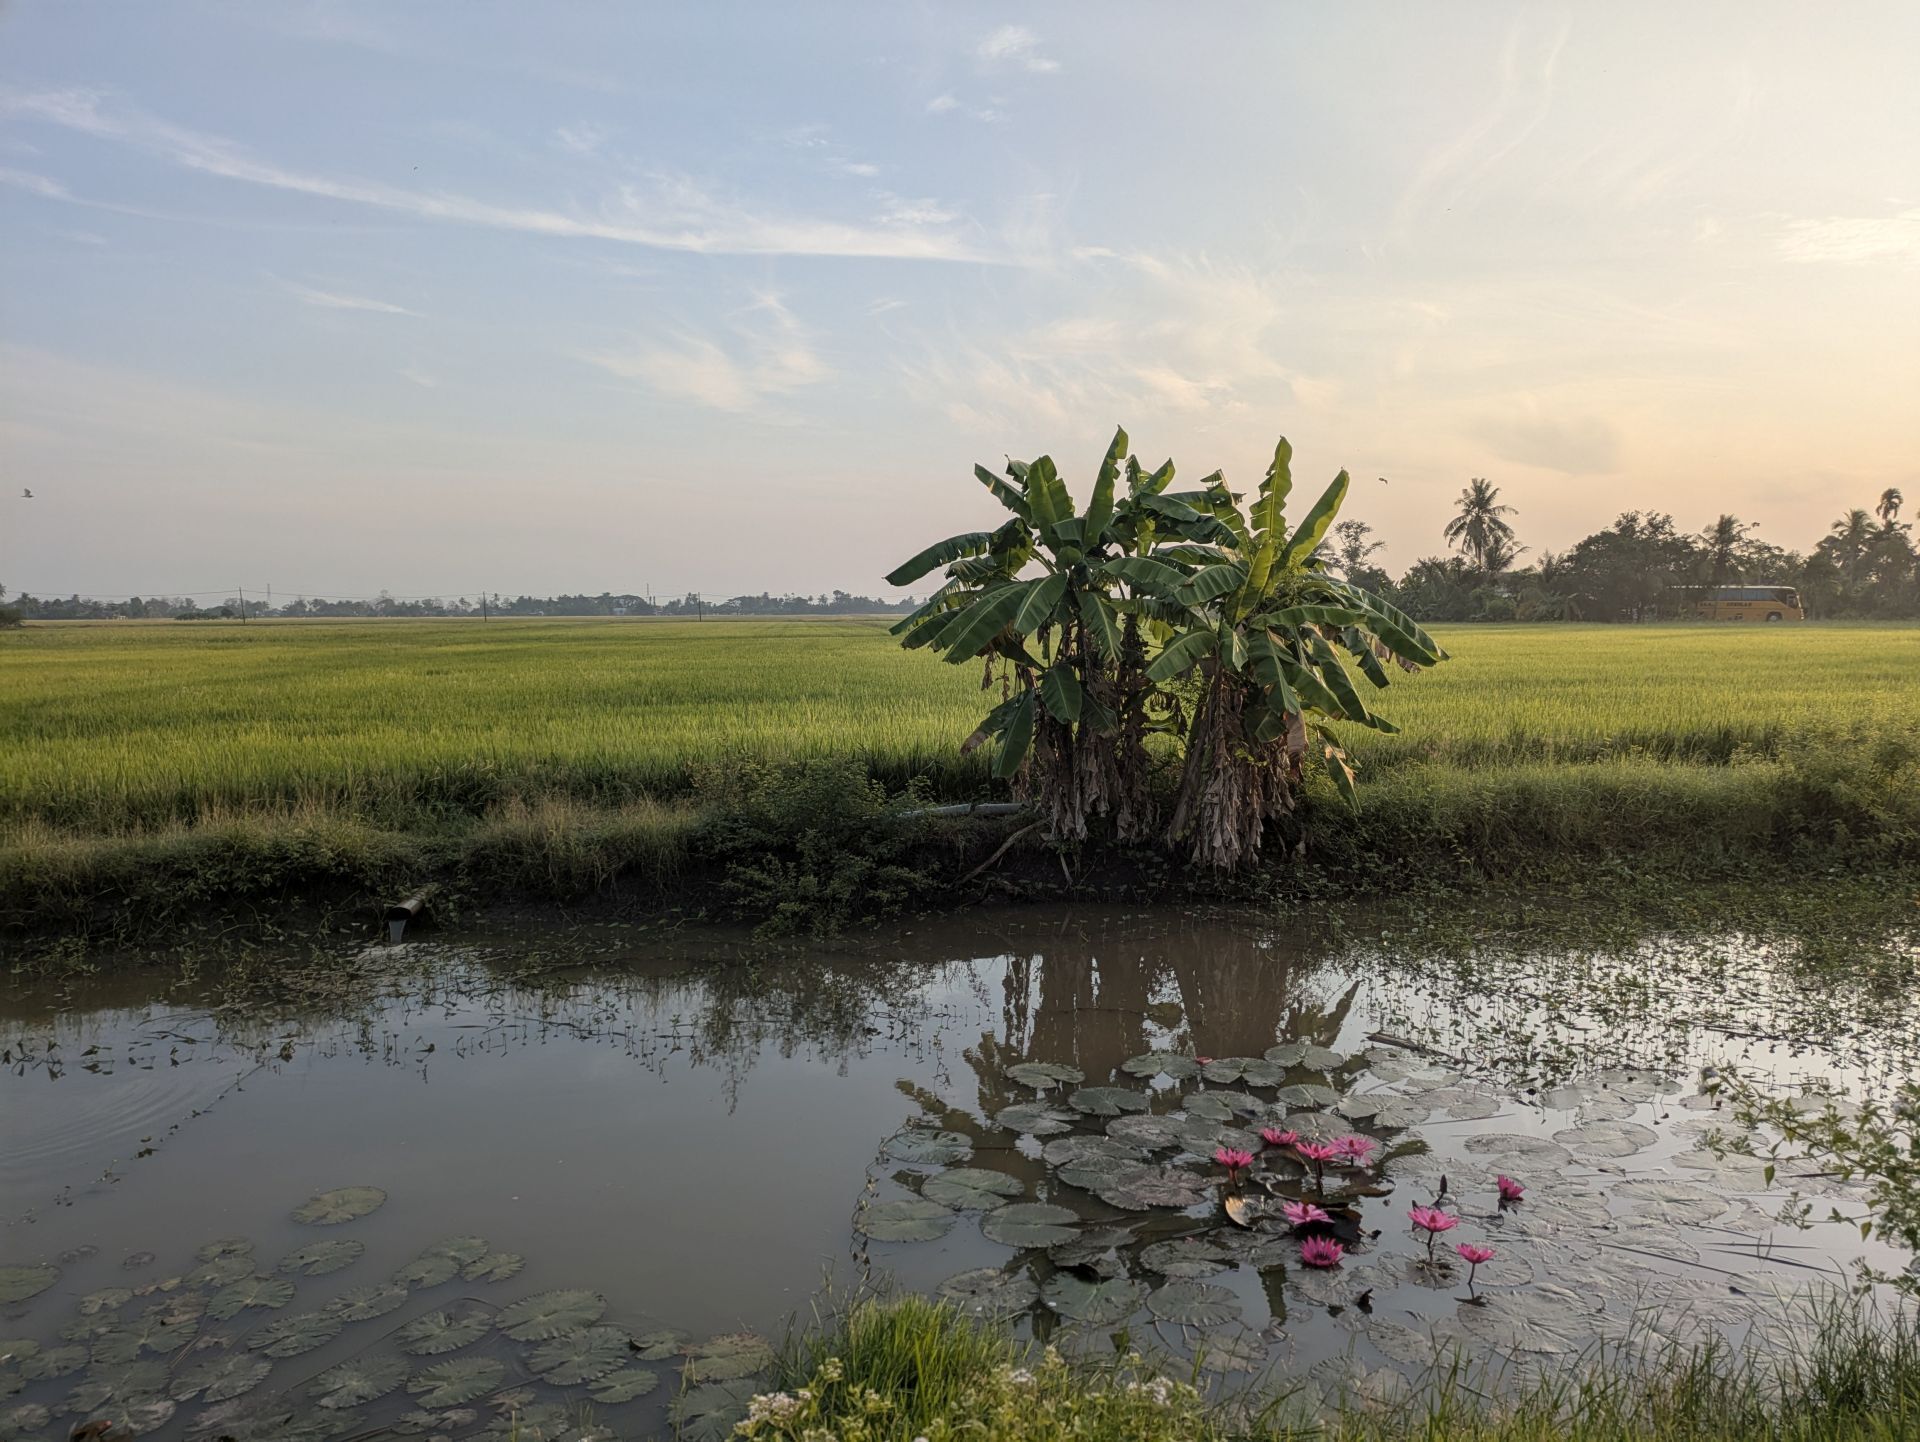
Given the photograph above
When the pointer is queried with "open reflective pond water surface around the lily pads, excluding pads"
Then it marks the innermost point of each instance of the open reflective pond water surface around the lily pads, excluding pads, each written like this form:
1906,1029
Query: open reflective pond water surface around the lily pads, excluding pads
688,1126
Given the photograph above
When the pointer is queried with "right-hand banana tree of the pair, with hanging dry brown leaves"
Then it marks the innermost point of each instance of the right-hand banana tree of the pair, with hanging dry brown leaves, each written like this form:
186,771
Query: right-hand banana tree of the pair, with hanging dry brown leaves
1262,627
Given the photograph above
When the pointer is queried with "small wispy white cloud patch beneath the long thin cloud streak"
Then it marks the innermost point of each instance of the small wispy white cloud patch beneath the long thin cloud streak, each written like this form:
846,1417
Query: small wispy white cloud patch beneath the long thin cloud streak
763,354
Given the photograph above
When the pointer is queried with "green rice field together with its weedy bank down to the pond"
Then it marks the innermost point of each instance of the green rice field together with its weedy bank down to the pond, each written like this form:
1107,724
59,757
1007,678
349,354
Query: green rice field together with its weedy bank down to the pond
166,773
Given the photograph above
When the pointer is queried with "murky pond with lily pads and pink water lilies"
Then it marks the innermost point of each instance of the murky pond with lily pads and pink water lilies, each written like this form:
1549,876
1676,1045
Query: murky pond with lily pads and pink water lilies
508,1186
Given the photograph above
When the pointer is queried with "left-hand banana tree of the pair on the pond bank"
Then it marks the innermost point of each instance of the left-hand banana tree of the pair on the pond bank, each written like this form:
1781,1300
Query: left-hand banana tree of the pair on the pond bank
1044,600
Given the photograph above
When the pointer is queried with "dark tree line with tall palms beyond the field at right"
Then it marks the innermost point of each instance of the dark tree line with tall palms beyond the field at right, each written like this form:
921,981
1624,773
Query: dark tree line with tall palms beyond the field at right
1637,569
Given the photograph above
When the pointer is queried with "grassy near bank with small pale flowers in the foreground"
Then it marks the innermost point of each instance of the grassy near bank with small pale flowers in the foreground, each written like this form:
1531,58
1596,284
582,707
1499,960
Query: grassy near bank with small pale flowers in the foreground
911,1370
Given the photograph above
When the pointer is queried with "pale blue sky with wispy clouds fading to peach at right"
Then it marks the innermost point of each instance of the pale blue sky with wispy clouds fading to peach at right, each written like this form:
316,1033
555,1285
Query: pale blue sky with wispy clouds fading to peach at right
443,299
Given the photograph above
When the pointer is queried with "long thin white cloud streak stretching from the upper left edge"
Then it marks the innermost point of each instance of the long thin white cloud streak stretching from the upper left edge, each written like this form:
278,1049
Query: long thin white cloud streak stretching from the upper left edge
675,216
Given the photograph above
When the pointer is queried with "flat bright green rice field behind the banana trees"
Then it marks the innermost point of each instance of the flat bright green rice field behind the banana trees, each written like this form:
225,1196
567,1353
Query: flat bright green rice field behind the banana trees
126,727
